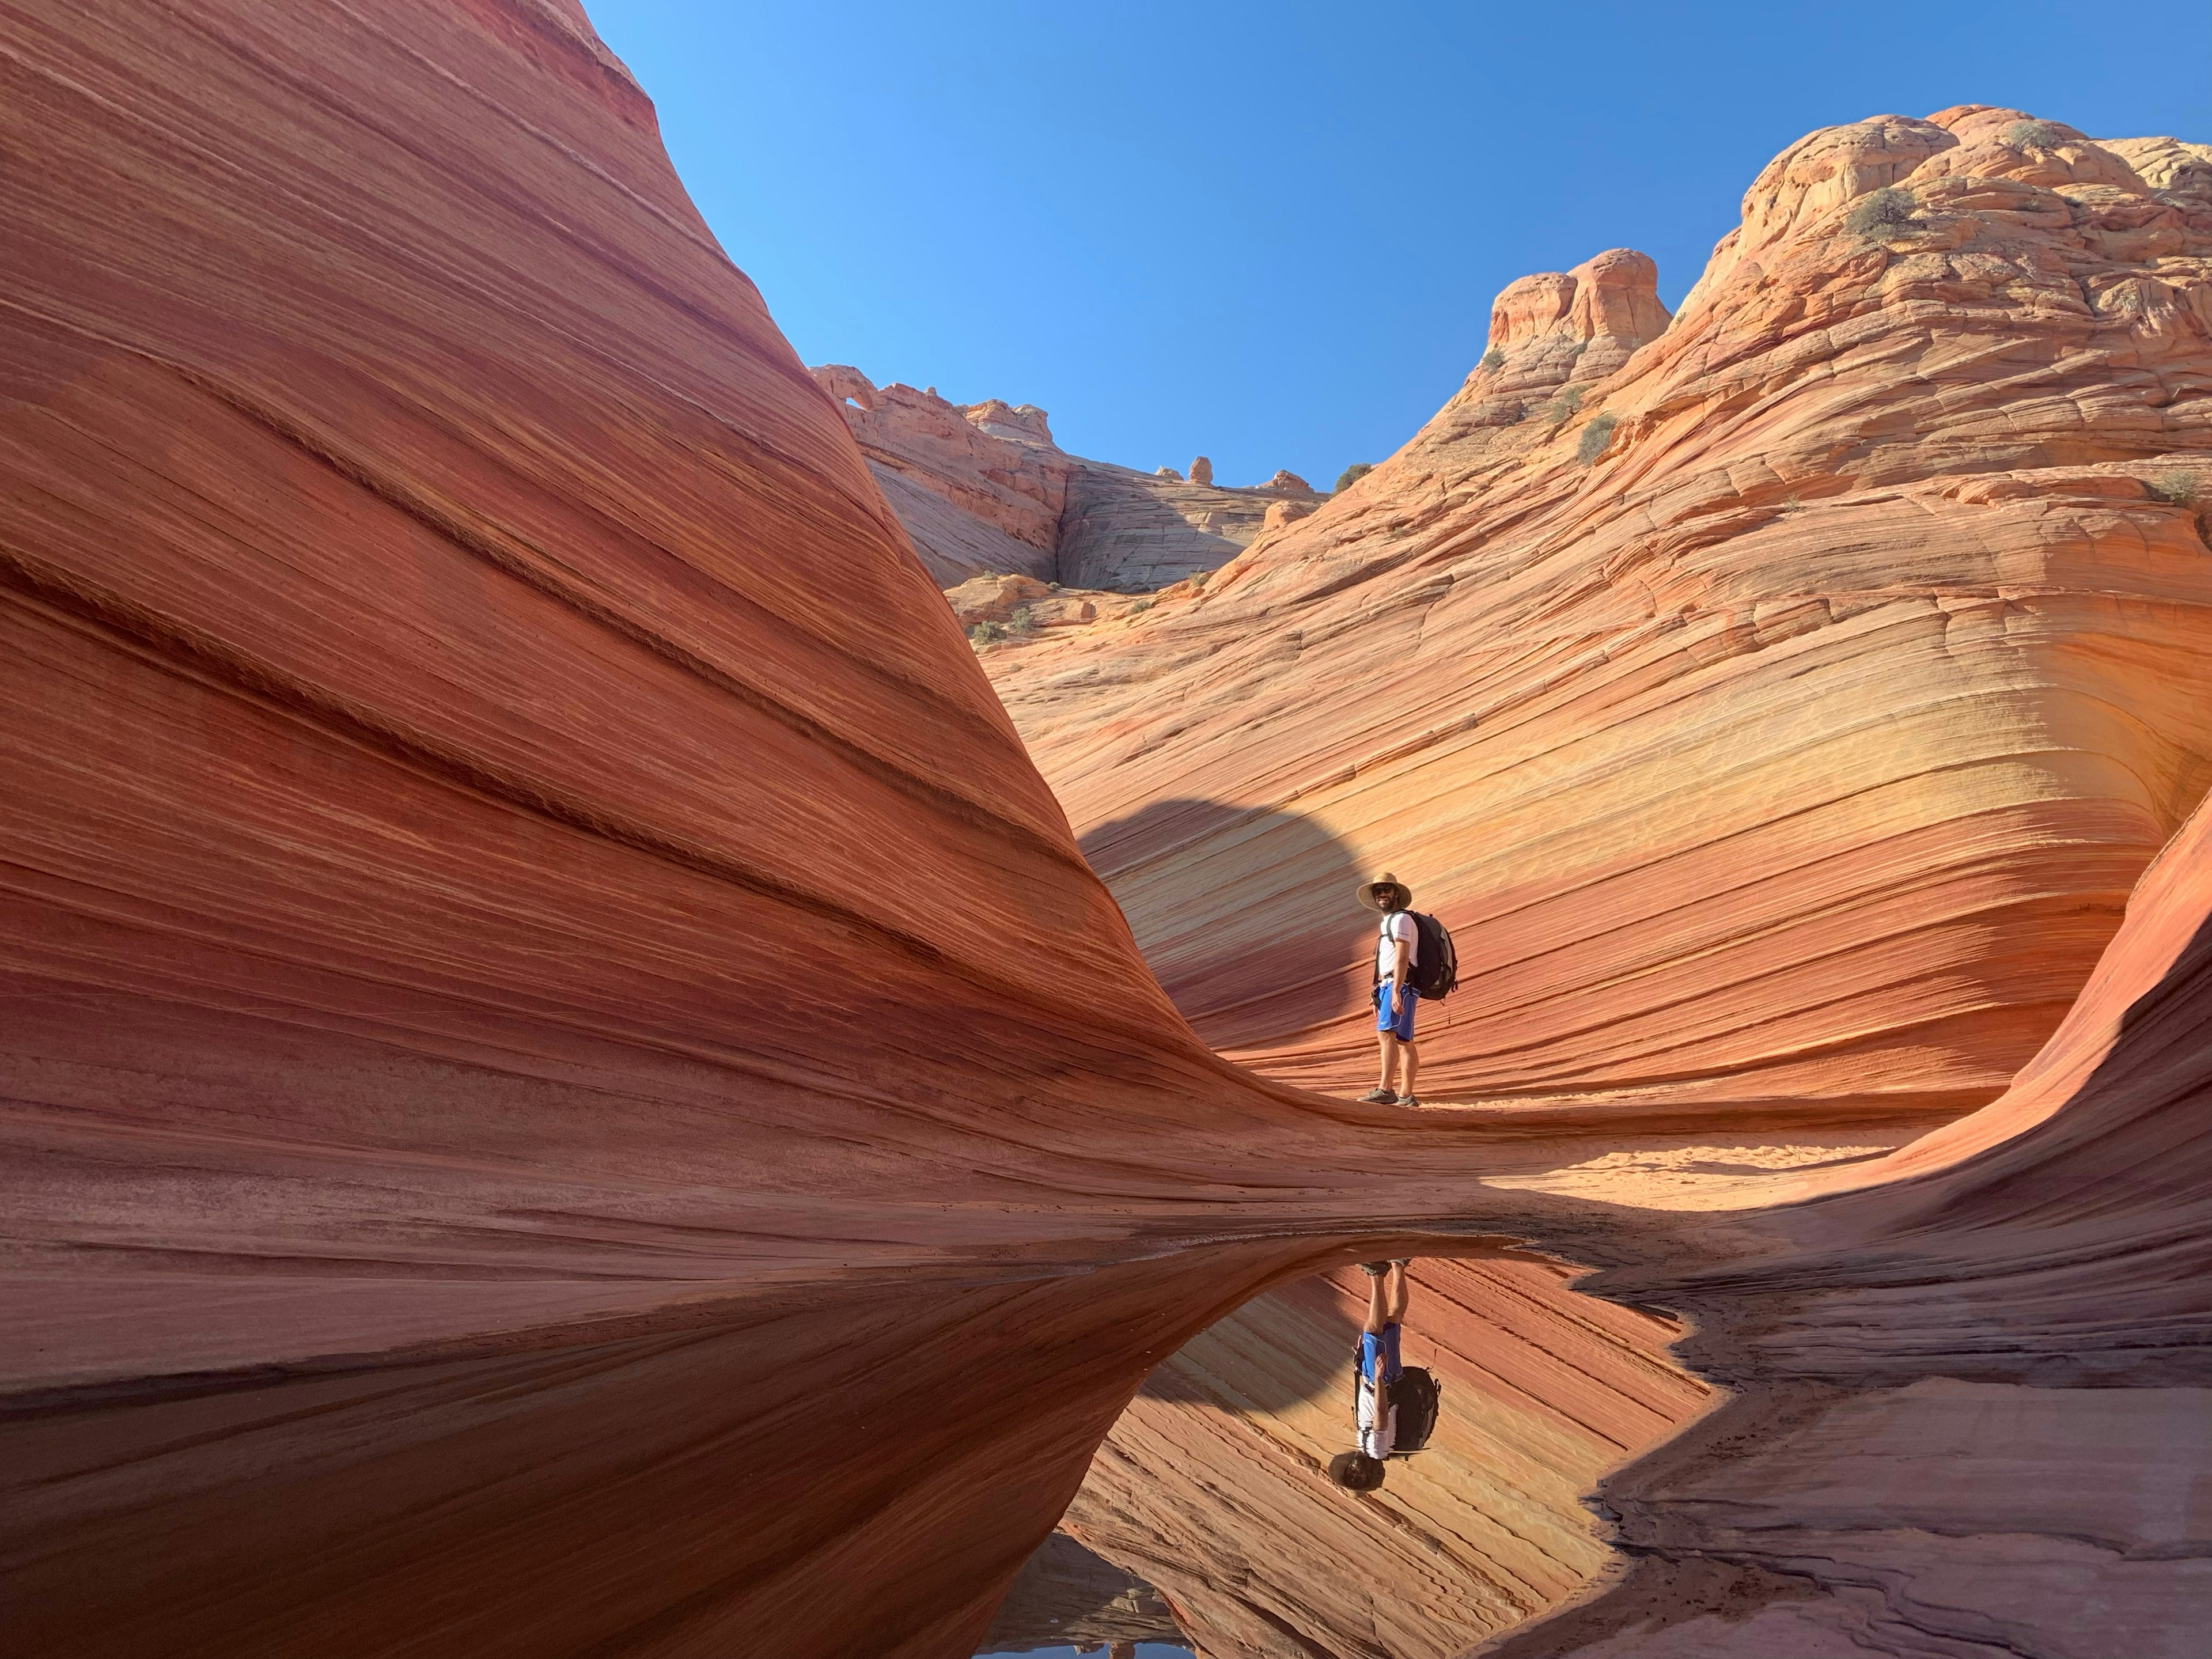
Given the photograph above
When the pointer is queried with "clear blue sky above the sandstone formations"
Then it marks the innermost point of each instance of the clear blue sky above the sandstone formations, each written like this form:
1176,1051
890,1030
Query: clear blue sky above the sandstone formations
1271,233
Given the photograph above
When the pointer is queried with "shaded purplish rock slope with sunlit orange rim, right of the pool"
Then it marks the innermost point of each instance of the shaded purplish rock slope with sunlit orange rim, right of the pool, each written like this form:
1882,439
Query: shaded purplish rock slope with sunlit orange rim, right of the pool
1972,1379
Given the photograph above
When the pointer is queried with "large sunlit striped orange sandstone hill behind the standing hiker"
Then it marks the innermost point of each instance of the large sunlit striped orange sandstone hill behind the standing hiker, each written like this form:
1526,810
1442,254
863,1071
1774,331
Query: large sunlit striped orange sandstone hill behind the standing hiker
1777,700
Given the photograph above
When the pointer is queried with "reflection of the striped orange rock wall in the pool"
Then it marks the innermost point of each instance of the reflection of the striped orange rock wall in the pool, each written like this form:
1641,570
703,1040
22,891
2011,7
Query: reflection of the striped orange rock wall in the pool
1213,1483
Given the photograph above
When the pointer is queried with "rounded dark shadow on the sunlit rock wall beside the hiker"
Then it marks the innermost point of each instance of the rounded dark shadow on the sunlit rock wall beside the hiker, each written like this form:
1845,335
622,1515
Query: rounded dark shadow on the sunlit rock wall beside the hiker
1246,915
